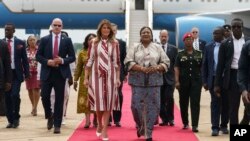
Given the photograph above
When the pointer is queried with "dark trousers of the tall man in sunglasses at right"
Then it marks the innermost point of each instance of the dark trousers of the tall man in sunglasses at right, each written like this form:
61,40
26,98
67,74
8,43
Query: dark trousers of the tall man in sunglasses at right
234,95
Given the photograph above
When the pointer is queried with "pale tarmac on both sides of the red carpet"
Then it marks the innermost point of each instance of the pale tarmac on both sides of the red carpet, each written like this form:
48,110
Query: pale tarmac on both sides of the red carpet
33,128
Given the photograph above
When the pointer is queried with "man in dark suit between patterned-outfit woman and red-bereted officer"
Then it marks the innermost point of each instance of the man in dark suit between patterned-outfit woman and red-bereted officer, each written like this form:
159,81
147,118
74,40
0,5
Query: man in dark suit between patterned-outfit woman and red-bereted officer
167,89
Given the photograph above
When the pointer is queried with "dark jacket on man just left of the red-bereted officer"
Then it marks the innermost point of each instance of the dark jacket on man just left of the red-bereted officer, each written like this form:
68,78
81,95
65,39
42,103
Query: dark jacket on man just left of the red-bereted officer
168,77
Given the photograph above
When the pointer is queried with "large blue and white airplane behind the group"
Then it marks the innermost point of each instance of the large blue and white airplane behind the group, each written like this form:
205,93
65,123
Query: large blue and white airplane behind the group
178,16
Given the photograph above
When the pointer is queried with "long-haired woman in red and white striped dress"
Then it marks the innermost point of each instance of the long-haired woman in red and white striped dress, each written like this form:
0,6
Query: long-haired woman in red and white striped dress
104,66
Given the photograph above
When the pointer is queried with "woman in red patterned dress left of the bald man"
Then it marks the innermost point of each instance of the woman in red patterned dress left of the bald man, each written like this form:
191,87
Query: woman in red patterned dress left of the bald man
32,84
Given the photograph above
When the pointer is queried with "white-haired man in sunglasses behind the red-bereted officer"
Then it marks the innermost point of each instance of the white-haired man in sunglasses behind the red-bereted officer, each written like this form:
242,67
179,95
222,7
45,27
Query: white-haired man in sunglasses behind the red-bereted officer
198,43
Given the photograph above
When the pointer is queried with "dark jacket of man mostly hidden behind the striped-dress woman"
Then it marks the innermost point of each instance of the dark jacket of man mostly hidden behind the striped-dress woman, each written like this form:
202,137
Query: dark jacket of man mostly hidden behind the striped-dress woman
122,46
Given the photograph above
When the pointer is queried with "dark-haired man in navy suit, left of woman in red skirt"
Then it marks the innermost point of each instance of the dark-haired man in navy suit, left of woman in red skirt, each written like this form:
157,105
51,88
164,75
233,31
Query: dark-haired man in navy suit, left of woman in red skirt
19,69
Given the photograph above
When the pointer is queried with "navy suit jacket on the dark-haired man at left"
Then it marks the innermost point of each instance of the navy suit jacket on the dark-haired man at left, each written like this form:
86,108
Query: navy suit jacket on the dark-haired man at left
20,59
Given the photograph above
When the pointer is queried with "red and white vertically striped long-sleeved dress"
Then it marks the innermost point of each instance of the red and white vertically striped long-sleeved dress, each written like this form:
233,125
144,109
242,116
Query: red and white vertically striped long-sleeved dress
104,59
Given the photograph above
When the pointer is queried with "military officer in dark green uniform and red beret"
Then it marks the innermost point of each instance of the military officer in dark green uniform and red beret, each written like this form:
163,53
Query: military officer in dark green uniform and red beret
188,81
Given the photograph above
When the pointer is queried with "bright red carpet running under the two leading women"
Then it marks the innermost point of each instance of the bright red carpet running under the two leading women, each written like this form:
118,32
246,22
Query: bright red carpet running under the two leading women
128,132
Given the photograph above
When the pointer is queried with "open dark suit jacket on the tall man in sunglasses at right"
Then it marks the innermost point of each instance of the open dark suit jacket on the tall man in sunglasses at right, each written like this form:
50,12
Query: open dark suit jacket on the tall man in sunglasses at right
225,59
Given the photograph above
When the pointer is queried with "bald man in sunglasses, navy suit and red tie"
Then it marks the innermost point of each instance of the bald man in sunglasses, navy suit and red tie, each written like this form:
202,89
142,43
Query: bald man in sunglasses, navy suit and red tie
55,53
